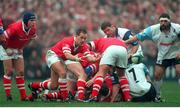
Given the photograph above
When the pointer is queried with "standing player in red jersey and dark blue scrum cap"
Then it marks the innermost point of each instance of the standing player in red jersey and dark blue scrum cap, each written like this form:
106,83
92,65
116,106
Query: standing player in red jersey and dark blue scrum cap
15,38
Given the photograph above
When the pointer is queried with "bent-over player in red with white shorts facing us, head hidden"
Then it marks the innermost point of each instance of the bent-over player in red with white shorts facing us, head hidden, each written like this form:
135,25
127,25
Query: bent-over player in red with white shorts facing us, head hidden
114,54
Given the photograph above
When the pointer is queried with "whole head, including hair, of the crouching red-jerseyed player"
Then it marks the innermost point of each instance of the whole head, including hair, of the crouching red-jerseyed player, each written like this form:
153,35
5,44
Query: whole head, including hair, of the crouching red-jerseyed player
81,35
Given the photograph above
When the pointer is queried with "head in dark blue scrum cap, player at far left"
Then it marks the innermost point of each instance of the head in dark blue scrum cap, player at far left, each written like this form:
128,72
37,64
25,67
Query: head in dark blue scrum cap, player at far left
29,19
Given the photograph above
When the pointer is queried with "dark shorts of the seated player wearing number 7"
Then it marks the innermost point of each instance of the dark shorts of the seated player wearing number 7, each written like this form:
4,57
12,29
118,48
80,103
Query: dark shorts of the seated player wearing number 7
149,96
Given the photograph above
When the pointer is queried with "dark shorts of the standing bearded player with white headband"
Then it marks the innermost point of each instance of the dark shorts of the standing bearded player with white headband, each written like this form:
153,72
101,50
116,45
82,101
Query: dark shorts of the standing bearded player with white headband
168,62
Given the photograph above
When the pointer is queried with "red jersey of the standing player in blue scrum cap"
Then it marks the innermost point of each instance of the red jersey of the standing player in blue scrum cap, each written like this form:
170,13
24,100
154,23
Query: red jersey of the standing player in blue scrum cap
17,37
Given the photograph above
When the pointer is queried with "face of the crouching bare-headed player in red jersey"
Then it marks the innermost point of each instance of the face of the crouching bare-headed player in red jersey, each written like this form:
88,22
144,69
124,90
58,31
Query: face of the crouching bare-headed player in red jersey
81,38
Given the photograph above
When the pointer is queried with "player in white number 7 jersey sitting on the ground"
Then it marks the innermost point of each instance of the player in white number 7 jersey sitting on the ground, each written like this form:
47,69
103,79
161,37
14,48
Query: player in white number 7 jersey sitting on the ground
141,88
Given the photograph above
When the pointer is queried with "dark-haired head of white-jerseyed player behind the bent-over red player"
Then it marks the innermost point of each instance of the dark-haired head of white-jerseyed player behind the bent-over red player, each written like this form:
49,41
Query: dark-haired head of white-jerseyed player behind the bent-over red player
108,29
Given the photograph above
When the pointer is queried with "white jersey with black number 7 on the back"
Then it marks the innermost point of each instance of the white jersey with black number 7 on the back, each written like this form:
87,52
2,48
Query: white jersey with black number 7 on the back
136,75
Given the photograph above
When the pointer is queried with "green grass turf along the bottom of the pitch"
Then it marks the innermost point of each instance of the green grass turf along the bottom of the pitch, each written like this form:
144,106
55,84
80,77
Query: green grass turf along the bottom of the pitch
171,92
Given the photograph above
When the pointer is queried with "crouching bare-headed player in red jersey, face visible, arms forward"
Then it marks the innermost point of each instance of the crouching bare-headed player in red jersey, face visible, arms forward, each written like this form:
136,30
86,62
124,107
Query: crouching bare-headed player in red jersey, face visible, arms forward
64,53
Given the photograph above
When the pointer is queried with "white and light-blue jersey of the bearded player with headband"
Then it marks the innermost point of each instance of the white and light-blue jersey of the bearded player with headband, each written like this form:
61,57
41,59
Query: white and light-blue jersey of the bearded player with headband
168,44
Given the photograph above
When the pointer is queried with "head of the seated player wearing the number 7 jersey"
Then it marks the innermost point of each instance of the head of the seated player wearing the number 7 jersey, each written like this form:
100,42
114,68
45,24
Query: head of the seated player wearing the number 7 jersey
137,58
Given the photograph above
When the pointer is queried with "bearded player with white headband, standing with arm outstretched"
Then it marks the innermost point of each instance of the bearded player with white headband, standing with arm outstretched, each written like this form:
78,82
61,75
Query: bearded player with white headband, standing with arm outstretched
166,34
